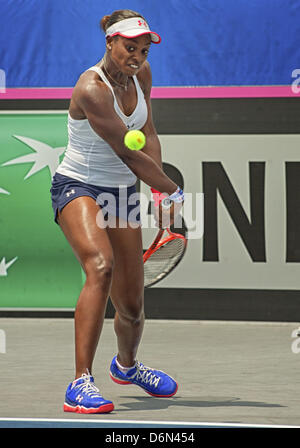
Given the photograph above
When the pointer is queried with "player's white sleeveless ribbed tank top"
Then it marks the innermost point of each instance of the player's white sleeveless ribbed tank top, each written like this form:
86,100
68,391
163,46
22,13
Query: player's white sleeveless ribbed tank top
89,158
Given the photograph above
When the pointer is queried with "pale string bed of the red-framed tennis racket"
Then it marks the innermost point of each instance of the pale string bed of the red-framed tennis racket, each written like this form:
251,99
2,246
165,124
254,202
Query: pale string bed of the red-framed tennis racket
163,260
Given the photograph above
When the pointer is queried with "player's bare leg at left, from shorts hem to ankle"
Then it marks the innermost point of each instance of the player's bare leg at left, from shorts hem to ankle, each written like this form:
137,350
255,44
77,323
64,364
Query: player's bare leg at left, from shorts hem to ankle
92,247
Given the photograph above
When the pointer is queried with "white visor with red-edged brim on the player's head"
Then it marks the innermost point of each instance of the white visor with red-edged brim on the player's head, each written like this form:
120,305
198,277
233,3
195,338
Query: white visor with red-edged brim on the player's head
133,27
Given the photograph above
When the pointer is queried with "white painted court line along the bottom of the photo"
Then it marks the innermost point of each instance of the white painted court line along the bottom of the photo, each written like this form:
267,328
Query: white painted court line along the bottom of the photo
146,422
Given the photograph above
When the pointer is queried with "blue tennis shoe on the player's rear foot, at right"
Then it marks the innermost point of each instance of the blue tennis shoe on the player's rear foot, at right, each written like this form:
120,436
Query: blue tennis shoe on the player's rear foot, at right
154,382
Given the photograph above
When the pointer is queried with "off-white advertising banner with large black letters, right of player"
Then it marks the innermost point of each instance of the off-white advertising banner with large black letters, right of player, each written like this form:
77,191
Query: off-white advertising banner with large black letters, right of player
251,213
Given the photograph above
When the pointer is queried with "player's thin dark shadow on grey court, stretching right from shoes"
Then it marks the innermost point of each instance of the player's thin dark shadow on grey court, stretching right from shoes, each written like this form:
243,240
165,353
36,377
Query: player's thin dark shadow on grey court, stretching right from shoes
152,403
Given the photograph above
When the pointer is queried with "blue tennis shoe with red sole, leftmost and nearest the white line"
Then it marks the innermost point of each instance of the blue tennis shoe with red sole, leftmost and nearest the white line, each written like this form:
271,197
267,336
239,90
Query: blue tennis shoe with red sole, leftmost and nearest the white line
83,397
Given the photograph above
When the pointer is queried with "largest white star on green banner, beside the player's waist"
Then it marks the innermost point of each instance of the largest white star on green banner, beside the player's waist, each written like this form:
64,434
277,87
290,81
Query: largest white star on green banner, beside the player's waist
44,156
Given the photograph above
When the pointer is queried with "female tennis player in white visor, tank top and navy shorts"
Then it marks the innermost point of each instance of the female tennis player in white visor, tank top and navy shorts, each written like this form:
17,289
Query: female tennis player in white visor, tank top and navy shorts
109,99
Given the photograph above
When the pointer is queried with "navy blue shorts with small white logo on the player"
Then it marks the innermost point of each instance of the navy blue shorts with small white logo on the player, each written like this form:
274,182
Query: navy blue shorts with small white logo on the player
122,202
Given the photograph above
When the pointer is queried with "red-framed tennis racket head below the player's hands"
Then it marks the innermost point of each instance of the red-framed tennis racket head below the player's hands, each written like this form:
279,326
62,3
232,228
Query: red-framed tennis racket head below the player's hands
163,256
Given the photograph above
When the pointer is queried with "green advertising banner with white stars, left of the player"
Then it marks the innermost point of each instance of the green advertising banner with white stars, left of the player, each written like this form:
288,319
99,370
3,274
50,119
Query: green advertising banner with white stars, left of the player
37,267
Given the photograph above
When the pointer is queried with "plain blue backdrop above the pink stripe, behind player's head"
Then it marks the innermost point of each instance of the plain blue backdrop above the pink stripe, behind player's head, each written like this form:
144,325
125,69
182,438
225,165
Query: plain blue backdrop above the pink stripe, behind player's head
49,43
